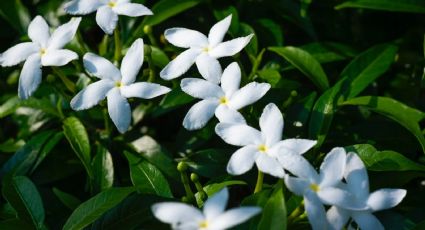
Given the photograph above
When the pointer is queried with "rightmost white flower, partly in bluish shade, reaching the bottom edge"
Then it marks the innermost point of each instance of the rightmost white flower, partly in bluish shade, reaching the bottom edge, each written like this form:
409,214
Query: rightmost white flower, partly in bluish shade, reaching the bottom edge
358,185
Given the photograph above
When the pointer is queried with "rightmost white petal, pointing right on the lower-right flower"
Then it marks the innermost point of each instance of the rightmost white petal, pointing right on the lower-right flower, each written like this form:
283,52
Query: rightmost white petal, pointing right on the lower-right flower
385,198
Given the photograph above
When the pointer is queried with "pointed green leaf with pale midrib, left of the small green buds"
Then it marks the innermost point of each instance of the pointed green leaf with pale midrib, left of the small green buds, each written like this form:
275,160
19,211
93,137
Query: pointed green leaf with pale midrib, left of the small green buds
146,177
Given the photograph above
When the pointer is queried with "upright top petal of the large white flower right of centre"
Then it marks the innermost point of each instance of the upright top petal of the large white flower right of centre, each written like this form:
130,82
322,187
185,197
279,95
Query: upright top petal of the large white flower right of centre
271,124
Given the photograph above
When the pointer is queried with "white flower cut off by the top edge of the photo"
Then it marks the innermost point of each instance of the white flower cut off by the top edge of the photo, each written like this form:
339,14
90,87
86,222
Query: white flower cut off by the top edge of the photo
107,11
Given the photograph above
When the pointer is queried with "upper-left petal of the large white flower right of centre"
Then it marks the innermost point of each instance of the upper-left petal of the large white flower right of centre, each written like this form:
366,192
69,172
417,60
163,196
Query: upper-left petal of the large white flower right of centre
238,134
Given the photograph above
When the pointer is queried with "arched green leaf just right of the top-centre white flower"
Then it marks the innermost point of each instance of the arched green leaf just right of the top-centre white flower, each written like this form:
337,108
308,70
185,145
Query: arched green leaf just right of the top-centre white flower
304,62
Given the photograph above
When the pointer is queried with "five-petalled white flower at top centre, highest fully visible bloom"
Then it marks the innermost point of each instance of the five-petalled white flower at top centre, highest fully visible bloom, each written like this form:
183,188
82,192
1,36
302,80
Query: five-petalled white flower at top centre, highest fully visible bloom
202,50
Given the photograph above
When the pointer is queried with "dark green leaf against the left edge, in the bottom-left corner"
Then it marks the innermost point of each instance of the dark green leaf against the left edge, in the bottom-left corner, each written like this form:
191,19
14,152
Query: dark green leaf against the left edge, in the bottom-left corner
22,194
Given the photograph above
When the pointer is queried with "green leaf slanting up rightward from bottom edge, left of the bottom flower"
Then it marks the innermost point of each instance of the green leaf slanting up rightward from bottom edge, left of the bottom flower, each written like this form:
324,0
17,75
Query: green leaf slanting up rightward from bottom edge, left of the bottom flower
93,208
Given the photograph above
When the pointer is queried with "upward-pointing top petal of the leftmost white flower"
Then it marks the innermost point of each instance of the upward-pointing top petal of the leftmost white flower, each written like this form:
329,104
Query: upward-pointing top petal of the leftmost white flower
38,31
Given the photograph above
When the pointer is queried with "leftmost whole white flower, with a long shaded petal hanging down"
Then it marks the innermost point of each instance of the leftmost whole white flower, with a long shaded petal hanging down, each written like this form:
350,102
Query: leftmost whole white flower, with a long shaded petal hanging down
44,50
